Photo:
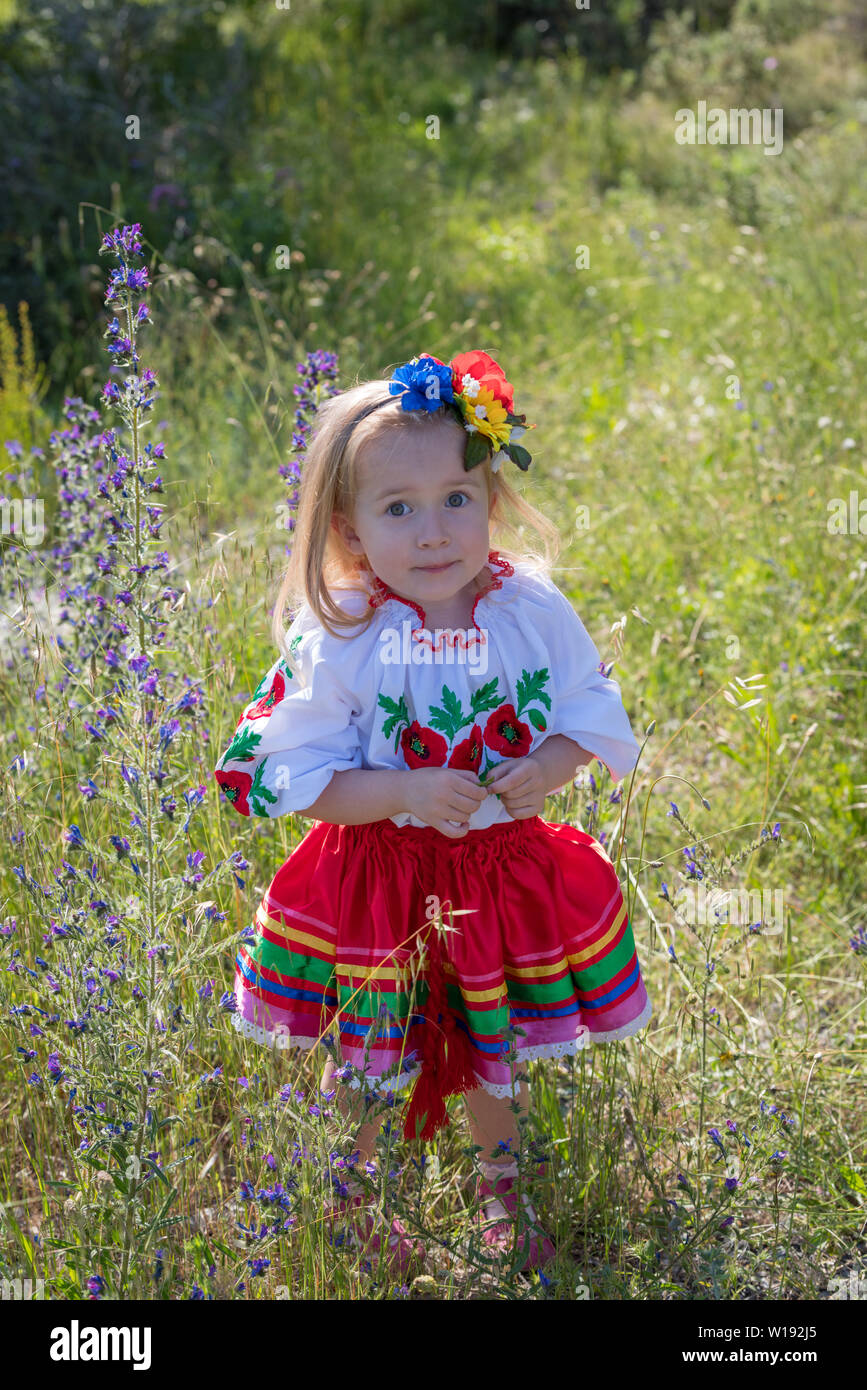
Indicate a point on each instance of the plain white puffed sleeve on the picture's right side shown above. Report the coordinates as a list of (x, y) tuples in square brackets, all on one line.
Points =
[(588, 707)]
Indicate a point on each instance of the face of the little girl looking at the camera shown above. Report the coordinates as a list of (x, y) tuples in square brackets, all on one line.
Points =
[(419, 508)]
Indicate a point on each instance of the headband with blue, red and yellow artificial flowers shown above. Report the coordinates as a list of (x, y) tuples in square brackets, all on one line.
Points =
[(474, 387)]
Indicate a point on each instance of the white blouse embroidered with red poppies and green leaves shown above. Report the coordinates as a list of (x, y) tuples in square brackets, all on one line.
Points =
[(398, 696)]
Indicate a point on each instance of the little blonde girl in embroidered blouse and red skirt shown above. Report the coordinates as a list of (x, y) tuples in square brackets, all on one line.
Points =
[(430, 696)]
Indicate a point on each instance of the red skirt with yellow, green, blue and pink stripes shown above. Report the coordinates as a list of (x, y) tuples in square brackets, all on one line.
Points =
[(433, 957)]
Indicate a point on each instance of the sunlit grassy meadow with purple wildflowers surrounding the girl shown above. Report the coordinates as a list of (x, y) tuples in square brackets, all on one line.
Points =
[(687, 327)]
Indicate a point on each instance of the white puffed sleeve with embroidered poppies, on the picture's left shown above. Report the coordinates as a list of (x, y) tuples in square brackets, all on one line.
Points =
[(298, 729)]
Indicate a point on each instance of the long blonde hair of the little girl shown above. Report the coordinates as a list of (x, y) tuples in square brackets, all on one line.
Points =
[(320, 559)]
